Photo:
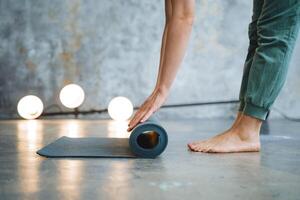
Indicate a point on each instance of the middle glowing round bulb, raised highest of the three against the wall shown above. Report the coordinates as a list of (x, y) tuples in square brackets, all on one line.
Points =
[(71, 96)]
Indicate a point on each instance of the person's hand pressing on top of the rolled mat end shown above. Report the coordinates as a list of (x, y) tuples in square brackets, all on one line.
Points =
[(151, 105)]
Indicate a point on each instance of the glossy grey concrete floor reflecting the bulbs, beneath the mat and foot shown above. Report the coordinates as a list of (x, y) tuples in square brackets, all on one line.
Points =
[(274, 173)]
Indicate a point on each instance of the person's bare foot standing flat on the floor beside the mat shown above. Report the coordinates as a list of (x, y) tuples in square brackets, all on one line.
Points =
[(242, 137)]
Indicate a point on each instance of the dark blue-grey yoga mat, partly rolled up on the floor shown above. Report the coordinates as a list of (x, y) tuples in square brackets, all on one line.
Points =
[(147, 140)]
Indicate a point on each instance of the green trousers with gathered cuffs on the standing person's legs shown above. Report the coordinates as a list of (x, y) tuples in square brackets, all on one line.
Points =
[(272, 33)]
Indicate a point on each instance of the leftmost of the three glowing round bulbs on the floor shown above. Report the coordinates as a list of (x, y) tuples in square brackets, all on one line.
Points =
[(30, 107)]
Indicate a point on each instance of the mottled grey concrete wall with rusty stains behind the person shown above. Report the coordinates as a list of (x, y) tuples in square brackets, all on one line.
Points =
[(112, 48)]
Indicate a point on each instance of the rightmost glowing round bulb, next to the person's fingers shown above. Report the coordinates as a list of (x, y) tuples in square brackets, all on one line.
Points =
[(120, 108)]
